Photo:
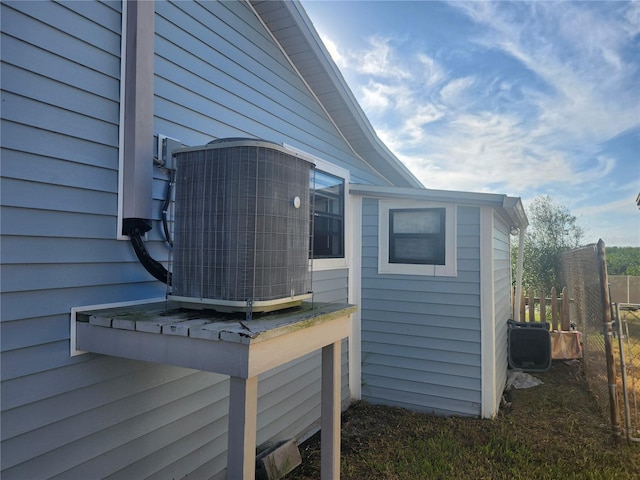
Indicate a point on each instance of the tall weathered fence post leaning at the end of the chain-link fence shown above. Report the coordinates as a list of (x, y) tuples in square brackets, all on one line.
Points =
[(608, 339)]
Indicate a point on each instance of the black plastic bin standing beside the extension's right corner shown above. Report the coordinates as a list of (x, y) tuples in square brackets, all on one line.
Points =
[(529, 346)]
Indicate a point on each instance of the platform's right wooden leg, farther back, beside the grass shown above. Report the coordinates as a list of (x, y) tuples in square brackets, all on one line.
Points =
[(330, 411)]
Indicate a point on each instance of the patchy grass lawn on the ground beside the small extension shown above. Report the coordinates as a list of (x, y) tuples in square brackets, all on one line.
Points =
[(553, 431)]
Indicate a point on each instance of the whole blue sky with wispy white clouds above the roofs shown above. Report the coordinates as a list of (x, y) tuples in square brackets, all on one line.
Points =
[(519, 98)]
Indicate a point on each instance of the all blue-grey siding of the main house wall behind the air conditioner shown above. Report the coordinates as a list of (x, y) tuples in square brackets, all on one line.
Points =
[(218, 74)]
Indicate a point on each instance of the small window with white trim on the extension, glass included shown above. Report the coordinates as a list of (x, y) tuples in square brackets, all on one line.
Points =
[(417, 238)]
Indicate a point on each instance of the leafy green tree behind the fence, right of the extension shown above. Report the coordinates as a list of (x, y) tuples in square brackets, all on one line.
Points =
[(552, 231)]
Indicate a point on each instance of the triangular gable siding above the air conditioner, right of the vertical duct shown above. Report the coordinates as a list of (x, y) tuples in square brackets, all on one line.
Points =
[(219, 74)]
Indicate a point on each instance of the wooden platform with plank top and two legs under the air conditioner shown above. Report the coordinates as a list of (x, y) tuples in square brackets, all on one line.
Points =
[(226, 343)]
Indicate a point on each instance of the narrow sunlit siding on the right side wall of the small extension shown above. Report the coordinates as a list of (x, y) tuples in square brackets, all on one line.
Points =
[(502, 299)]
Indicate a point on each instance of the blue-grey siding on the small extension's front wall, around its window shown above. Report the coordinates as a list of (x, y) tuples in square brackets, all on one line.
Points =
[(421, 335)]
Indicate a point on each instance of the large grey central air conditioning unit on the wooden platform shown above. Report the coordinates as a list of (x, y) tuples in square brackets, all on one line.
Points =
[(242, 227)]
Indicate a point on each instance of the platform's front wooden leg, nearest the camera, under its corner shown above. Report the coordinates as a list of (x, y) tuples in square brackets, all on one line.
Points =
[(243, 410)]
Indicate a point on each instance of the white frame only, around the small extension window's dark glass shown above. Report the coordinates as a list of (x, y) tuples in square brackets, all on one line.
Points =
[(449, 269)]
